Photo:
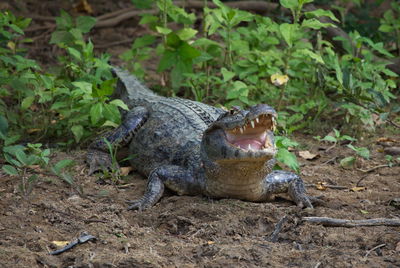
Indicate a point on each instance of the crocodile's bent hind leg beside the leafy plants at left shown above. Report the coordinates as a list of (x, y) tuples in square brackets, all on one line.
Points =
[(98, 156)]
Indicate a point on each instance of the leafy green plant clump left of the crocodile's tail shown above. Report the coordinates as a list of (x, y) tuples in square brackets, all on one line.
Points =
[(66, 104)]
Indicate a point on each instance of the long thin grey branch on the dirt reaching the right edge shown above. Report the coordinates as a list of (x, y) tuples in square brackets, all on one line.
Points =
[(332, 222)]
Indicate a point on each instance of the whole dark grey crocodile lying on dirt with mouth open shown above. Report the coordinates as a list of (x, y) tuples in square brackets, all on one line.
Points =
[(196, 149)]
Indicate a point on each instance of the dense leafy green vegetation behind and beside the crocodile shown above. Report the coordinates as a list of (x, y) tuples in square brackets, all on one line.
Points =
[(234, 58)]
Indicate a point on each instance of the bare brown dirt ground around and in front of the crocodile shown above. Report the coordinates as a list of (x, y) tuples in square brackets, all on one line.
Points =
[(185, 231)]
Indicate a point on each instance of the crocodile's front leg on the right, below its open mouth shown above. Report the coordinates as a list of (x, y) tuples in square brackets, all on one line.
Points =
[(280, 181)]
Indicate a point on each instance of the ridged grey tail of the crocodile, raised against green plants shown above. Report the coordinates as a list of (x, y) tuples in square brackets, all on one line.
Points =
[(129, 87)]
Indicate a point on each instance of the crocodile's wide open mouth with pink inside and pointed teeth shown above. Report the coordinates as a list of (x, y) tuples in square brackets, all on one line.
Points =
[(253, 134)]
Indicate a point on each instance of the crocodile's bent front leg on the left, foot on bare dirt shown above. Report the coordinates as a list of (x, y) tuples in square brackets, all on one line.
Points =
[(175, 178)]
